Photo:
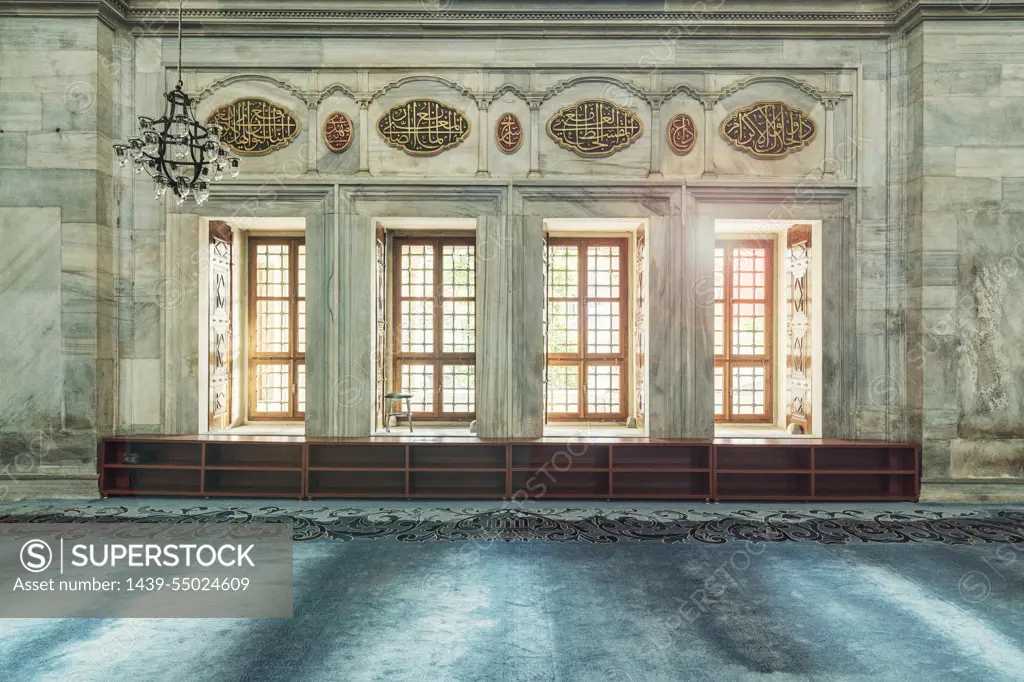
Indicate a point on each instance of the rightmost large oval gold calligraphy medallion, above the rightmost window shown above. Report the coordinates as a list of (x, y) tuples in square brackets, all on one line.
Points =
[(770, 130)]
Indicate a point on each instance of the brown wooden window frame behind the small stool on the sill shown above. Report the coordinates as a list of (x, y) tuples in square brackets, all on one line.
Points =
[(439, 359)]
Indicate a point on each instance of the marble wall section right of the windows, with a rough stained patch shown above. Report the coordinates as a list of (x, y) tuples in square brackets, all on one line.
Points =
[(966, 247)]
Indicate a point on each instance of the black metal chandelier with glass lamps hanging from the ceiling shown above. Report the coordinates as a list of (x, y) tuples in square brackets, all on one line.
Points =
[(177, 151)]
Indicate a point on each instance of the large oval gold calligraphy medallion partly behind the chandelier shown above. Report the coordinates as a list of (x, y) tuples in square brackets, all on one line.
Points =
[(253, 127)]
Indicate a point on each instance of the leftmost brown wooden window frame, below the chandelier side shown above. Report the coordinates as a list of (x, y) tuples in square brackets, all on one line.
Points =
[(293, 358)]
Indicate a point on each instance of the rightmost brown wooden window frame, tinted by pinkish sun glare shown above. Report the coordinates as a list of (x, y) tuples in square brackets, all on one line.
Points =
[(729, 360)]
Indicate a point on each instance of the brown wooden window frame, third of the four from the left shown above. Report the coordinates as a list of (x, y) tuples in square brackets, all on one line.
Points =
[(583, 359)]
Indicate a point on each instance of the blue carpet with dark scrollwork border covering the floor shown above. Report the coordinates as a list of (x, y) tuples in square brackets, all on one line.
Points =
[(936, 601)]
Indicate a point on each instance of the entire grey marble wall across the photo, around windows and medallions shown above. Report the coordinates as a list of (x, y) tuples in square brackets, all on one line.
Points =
[(915, 175)]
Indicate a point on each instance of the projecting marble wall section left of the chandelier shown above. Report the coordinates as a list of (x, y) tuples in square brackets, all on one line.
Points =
[(57, 297)]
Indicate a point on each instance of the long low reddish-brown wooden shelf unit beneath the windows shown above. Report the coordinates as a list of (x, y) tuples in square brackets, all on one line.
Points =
[(548, 468)]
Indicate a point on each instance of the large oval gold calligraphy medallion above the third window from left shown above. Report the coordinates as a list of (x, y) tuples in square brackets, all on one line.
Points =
[(595, 129)]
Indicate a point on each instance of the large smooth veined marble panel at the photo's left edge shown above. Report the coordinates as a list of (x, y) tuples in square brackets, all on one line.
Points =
[(30, 302)]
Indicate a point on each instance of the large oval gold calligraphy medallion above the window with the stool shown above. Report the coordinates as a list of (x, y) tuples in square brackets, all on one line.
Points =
[(423, 127)]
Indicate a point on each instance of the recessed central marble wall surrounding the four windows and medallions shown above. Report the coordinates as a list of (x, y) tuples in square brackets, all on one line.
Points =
[(842, 87)]
